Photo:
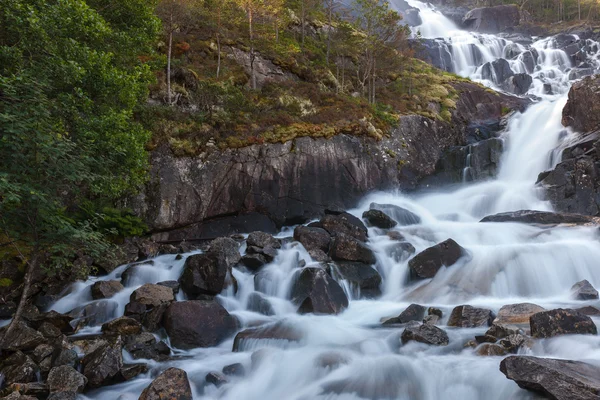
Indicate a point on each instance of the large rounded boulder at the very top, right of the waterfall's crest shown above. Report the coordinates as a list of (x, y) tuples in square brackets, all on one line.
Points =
[(492, 19)]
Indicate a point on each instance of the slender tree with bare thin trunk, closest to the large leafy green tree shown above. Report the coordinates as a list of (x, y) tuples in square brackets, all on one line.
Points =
[(175, 14)]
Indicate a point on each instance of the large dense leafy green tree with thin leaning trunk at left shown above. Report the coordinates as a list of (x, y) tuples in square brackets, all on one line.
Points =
[(70, 80)]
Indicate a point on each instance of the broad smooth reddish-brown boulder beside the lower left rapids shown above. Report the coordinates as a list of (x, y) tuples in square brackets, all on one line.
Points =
[(198, 323)]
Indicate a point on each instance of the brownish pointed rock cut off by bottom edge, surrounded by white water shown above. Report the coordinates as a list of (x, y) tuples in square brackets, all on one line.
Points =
[(171, 384)]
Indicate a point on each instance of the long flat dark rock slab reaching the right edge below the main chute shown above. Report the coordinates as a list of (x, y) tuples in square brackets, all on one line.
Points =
[(541, 218)]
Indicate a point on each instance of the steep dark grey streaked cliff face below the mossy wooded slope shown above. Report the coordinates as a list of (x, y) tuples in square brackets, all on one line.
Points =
[(269, 185)]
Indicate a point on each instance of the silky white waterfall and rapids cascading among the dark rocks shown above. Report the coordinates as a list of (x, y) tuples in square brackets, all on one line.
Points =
[(509, 263)]
